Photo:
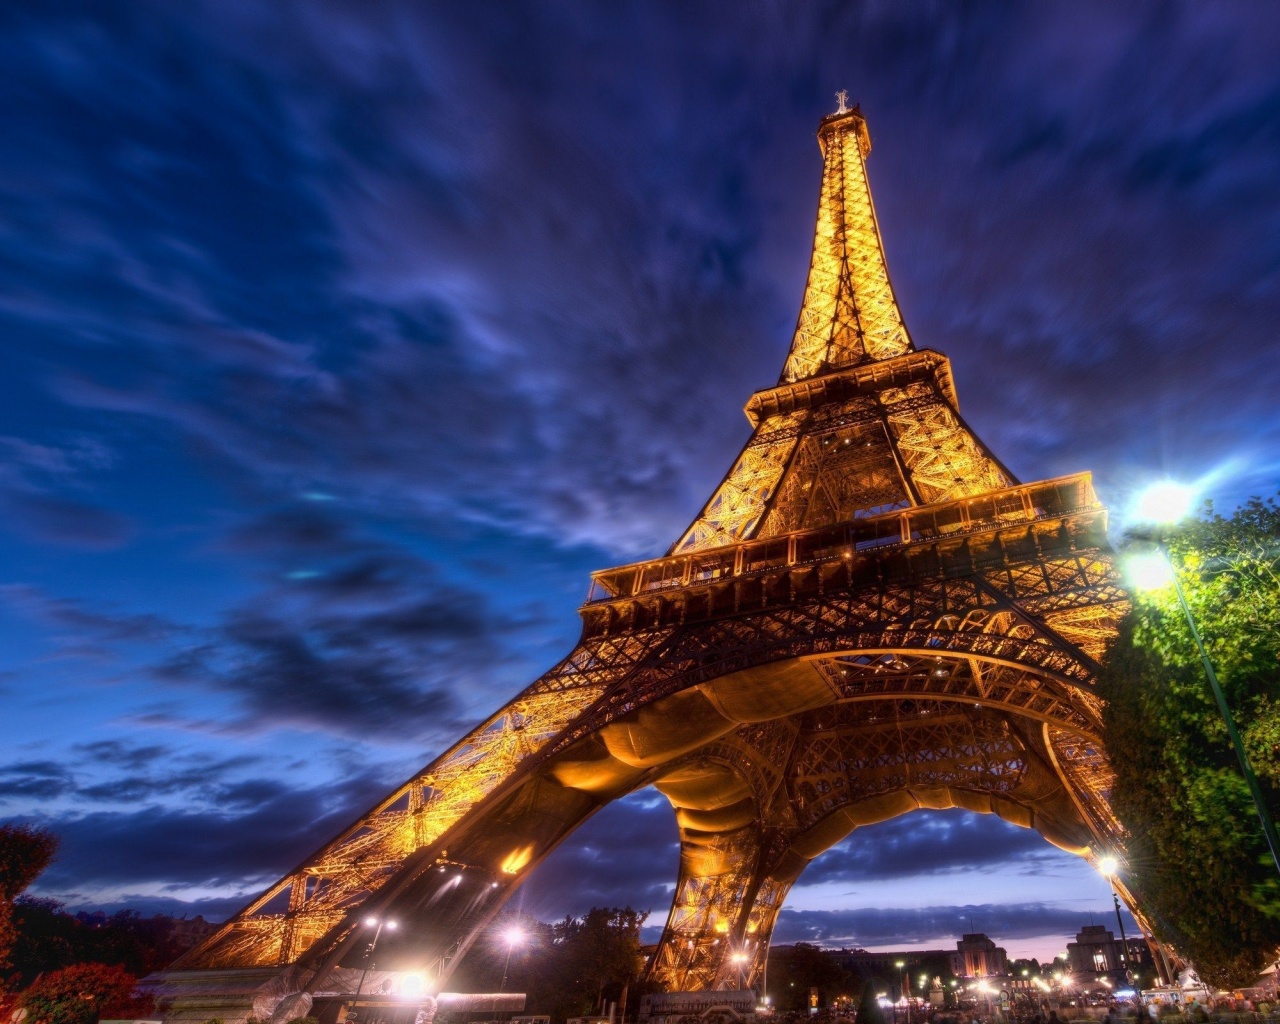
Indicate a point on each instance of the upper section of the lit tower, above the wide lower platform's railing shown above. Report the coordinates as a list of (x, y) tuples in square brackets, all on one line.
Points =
[(862, 422)]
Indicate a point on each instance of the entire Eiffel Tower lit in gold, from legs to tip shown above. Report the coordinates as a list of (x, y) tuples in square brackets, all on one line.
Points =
[(871, 615)]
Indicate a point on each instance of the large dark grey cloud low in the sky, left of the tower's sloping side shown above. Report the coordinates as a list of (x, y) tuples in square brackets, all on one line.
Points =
[(371, 646)]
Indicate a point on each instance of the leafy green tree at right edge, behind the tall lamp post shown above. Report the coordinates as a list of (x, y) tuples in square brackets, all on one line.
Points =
[(1196, 852)]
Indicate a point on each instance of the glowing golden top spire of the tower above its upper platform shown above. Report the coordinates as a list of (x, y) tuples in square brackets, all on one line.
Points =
[(849, 314)]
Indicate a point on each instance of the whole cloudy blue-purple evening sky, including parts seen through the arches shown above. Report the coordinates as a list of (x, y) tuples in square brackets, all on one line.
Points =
[(340, 342)]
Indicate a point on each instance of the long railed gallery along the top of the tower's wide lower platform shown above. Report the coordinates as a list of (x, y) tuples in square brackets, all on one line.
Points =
[(922, 524)]
